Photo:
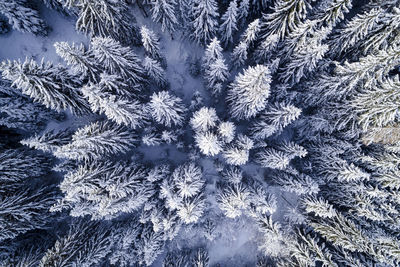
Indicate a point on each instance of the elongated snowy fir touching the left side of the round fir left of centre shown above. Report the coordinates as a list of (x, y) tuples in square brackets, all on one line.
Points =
[(119, 109)]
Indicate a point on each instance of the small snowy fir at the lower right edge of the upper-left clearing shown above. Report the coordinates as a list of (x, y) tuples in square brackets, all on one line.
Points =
[(81, 61)]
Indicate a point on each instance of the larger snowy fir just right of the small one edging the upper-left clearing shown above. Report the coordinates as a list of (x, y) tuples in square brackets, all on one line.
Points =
[(117, 59)]
